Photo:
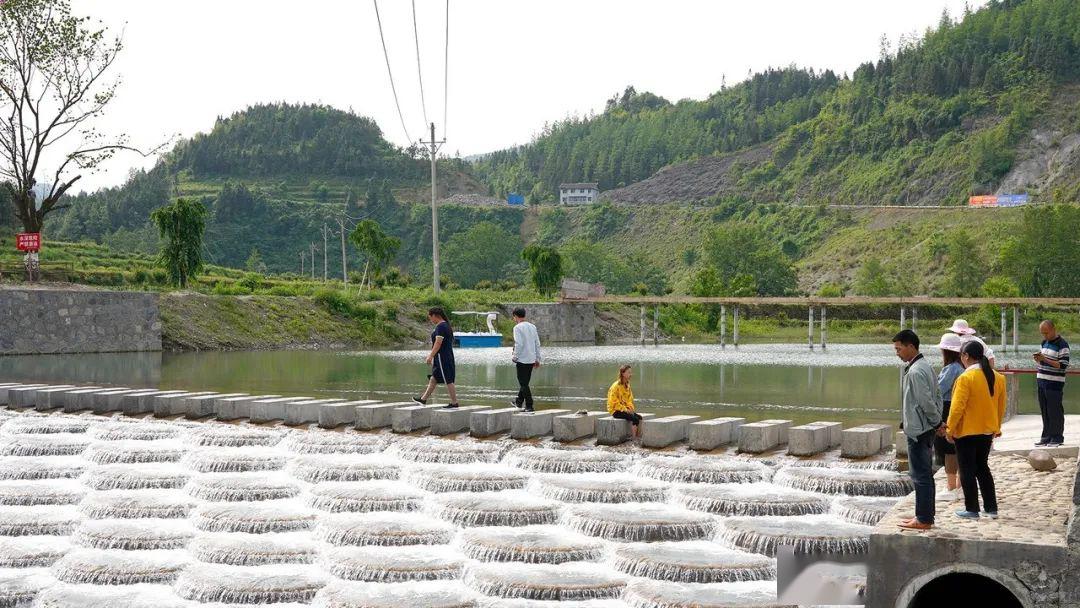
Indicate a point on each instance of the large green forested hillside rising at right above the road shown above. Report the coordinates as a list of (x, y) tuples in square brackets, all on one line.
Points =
[(940, 118)]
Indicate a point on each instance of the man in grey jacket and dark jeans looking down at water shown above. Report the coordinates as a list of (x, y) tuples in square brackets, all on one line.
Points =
[(922, 414)]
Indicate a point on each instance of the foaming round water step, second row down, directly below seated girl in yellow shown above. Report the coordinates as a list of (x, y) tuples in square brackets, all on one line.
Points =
[(602, 488)]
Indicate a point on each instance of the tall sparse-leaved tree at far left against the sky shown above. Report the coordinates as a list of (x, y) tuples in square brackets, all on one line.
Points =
[(53, 88)]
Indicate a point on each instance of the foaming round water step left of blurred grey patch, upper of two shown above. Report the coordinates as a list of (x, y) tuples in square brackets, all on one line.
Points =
[(693, 562)]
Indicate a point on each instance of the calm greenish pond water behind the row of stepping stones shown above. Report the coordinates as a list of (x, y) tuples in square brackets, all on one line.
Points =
[(848, 383)]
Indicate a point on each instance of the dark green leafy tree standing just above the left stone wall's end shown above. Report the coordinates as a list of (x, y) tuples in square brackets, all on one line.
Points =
[(181, 226)]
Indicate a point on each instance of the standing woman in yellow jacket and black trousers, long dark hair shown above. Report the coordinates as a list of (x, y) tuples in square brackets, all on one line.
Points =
[(975, 420)]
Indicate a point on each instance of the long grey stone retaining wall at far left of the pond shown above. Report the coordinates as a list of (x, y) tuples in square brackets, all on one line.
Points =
[(71, 321)]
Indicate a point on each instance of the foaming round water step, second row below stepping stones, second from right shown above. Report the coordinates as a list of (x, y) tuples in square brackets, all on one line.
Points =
[(759, 498)]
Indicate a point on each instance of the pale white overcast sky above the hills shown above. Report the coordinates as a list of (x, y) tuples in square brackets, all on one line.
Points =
[(512, 65)]
